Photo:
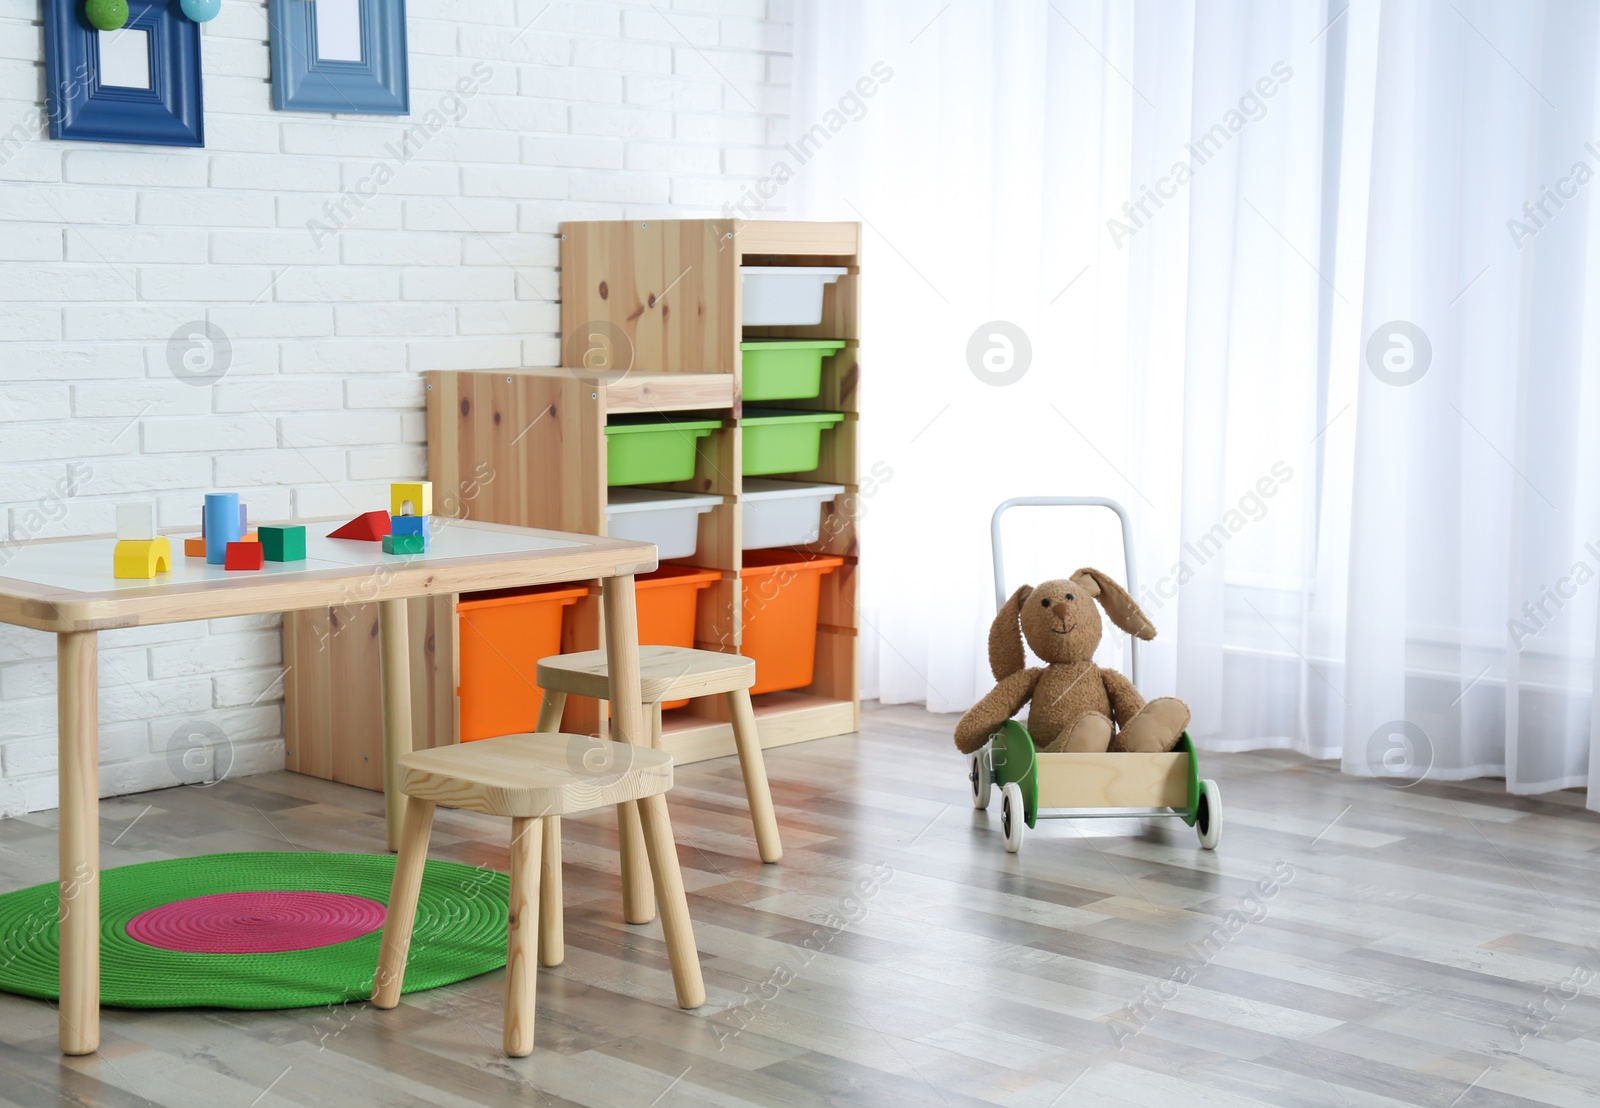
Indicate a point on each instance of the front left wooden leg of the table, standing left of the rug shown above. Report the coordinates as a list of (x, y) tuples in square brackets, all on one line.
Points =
[(78, 673)]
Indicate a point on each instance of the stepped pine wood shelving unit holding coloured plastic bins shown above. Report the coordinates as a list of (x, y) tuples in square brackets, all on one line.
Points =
[(654, 310)]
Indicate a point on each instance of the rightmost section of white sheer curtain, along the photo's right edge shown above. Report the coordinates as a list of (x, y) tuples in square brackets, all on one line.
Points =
[(1473, 561)]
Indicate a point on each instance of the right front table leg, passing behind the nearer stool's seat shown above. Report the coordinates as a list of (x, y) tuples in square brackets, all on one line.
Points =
[(628, 726)]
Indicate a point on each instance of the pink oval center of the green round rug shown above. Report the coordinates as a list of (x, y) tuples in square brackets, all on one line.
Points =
[(257, 923)]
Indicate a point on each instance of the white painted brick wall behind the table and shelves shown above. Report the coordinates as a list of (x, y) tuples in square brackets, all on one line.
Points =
[(583, 110)]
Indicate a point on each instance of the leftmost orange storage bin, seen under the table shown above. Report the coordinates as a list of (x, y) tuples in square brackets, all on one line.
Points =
[(503, 635)]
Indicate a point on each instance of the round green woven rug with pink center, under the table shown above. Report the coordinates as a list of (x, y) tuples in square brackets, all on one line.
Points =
[(247, 902)]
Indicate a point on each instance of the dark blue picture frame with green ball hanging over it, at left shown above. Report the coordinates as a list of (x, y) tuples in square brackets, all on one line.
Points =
[(169, 113)]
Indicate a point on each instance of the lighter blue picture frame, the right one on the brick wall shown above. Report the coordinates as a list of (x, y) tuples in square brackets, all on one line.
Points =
[(303, 82)]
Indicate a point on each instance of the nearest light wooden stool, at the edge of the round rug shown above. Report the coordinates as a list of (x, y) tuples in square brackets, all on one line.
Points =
[(537, 779)]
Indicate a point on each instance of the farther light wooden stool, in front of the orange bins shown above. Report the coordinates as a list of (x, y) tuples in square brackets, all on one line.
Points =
[(666, 673)]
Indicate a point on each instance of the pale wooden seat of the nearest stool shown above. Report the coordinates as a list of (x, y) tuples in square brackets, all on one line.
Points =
[(535, 776)]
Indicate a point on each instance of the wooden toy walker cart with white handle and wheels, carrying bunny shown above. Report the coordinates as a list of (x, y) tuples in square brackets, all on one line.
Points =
[(1113, 785)]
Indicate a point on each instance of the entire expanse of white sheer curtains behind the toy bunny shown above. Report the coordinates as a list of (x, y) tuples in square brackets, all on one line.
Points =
[(1228, 233)]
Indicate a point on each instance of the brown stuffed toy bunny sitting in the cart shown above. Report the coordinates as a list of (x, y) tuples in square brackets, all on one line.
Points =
[(1076, 705)]
